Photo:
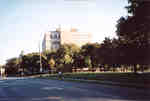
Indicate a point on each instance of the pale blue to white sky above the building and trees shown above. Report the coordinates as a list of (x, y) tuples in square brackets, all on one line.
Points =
[(23, 22)]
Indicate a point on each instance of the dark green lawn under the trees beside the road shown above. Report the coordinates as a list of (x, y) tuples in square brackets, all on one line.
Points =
[(129, 77)]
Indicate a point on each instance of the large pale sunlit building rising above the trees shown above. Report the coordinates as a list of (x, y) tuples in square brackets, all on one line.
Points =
[(53, 39)]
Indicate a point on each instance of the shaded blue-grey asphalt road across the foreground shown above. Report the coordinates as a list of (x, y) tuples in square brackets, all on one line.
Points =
[(32, 89)]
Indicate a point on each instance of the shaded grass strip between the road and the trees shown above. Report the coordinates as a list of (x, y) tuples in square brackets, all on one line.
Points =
[(128, 79)]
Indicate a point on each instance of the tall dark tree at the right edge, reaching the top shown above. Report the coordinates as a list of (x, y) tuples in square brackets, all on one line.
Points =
[(134, 30)]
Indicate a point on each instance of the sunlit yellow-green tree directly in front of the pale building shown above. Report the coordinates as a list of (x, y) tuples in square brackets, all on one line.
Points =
[(65, 57)]
